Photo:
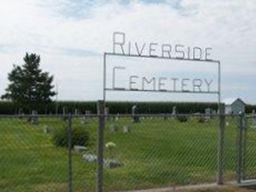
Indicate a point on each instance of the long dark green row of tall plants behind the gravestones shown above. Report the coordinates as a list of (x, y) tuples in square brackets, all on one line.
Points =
[(7, 107)]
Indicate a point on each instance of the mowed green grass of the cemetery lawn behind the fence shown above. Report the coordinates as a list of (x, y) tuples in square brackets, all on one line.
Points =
[(156, 153)]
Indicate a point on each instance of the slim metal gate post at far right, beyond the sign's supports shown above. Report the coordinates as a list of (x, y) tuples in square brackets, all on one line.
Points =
[(240, 148)]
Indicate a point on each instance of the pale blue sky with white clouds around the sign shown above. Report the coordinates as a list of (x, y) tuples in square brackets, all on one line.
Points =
[(72, 35)]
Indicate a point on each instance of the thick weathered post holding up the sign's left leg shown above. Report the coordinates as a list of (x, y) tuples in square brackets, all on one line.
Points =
[(100, 145)]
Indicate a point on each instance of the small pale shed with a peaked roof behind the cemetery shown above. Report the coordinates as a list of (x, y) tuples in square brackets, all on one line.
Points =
[(234, 106)]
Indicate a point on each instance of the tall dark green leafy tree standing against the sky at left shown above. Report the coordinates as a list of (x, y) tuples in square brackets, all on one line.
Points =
[(29, 87)]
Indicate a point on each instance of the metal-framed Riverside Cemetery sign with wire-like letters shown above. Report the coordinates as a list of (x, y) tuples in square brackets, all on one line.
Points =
[(119, 77)]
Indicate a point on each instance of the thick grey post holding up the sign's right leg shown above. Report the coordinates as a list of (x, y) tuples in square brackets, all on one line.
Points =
[(220, 179)]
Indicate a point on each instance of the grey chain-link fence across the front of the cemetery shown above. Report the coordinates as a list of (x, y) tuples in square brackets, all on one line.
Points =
[(59, 153)]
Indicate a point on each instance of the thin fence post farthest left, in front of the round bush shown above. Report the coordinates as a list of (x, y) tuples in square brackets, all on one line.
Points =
[(69, 153)]
